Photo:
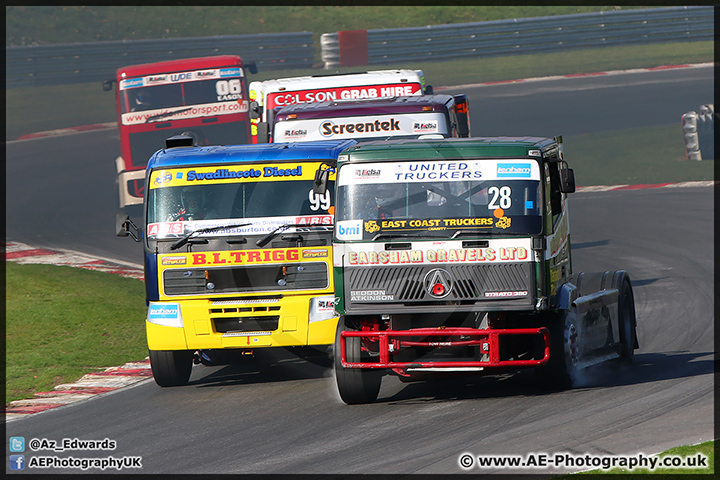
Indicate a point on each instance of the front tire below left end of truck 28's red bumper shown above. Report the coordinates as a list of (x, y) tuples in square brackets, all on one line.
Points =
[(355, 385)]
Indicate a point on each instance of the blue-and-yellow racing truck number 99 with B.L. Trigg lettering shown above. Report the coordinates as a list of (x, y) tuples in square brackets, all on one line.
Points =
[(238, 252)]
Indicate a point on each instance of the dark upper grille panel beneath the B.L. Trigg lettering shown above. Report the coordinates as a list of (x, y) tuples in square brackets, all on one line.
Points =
[(296, 276)]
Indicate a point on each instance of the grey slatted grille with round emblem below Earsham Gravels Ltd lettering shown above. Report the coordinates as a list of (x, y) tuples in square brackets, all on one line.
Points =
[(470, 282)]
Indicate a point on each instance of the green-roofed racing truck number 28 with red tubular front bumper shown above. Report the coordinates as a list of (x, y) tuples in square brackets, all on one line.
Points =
[(452, 256)]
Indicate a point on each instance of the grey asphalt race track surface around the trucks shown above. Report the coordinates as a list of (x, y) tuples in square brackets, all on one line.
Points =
[(273, 413)]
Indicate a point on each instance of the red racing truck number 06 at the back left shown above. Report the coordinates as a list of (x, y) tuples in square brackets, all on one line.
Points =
[(204, 98)]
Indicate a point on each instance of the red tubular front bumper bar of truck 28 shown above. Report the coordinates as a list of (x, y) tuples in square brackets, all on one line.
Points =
[(390, 341)]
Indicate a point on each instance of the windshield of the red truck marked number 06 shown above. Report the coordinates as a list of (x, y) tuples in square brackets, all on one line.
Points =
[(165, 96)]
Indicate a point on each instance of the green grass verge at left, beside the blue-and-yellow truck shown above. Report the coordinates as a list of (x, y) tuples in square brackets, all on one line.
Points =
[(63, 322)]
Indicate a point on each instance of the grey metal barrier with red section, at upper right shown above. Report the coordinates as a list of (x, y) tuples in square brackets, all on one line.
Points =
[(399, 46)]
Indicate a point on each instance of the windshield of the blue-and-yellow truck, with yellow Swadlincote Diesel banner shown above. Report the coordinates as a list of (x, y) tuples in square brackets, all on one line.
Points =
[(266, 196)]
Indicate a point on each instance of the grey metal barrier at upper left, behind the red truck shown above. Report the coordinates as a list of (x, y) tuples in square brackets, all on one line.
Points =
[(89, 62)]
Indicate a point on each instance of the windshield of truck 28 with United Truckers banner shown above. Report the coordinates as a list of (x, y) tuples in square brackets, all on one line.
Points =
[(443, 198)]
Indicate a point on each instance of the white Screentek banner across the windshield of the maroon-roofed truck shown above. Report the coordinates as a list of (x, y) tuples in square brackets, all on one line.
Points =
[(365, 127)]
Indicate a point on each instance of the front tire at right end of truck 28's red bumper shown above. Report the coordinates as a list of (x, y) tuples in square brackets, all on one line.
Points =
[(561, 371)]
